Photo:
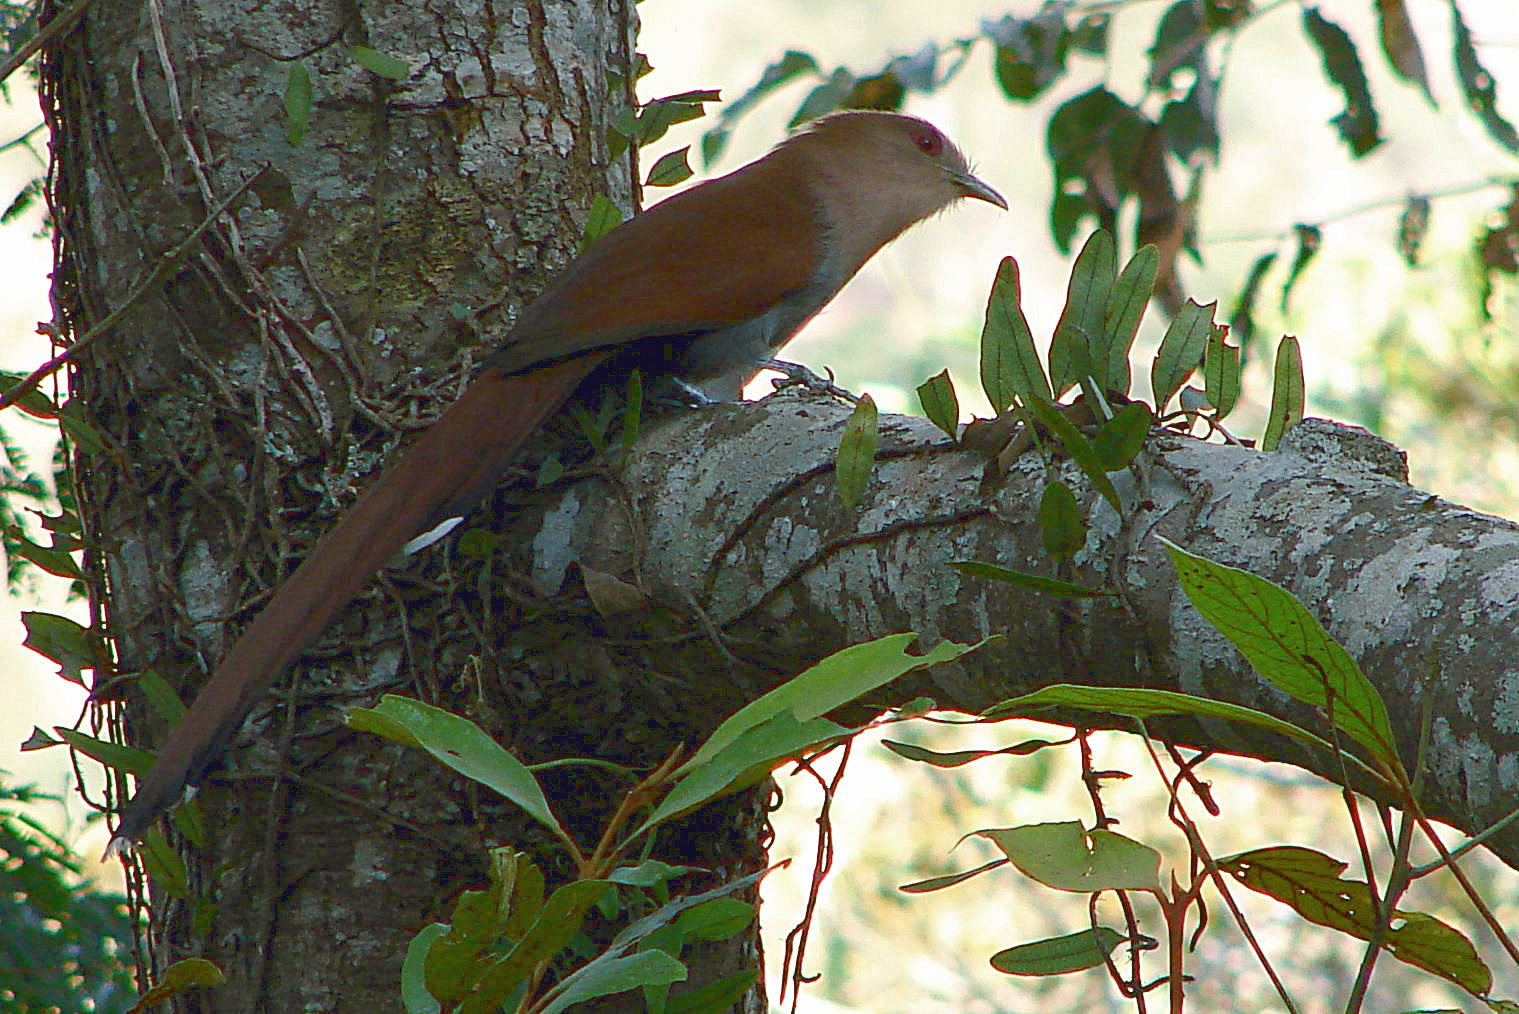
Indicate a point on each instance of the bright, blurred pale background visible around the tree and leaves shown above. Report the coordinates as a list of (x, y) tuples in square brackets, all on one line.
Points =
[(1421, 356)]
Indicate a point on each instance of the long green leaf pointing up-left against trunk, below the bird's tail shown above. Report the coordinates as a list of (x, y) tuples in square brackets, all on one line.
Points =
[(459, 745)]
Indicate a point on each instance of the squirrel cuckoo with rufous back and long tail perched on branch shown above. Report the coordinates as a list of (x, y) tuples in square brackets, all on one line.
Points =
[(712, 282)]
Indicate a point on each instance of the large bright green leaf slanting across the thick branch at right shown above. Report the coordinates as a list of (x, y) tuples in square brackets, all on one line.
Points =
[(1289, 647)]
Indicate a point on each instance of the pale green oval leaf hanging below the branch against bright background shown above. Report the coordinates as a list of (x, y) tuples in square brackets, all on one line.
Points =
[(1069, 858)]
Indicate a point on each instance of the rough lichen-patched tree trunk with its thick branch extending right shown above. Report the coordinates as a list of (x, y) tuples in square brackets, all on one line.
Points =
[(268, 367)]
